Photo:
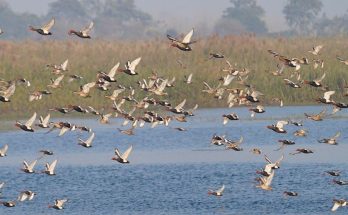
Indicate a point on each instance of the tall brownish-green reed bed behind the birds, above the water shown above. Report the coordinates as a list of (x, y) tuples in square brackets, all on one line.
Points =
[(28, 60)]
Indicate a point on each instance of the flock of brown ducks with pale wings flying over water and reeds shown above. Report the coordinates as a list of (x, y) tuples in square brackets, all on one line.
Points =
[(155, 88)]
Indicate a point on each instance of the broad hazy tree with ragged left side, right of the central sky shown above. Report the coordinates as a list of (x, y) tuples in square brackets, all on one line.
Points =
[(248, 14)]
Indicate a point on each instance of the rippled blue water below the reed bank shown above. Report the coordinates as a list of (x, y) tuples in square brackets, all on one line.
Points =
[(171, 171)]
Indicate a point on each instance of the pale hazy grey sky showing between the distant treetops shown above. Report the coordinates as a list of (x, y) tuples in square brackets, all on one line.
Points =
[(184, 14)]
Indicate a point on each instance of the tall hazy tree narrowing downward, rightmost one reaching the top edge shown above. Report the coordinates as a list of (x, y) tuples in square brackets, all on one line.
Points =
[(301, 15)]
